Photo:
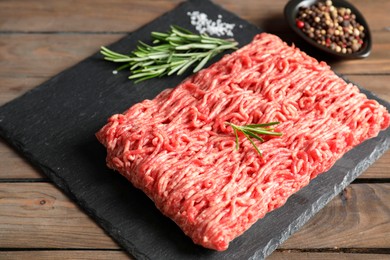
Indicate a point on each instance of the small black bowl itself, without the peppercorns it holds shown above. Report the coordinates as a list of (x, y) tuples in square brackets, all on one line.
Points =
[(291, 10)]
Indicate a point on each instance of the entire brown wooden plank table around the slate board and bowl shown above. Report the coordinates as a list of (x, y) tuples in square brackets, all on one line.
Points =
[(39, 39)]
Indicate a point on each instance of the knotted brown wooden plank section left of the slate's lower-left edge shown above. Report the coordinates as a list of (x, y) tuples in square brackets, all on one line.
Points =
[(38, 215)]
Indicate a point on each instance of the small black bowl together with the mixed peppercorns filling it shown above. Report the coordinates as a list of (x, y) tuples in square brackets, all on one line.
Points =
[(333, 26)]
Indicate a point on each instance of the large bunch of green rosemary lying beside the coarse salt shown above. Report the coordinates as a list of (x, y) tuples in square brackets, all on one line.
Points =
[(171, 52)]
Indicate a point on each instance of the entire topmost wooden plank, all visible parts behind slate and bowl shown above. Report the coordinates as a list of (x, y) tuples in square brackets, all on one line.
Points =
[(125, 16)]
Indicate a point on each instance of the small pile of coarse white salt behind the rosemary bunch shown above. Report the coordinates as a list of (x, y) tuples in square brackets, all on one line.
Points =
[(205, 25)]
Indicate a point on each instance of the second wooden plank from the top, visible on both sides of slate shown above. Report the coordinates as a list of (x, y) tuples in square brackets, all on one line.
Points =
[(28, 56)]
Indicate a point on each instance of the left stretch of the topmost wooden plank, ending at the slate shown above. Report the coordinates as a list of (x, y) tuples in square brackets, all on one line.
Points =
[(88, 15)]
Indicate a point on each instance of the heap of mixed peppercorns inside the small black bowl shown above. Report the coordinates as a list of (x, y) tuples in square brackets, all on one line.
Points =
[(333, 27)]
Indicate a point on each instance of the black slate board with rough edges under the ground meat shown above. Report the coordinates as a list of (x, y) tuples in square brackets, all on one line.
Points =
[(53, 126)]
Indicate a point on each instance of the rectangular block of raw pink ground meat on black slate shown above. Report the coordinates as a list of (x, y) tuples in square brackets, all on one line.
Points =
[(179, 151)]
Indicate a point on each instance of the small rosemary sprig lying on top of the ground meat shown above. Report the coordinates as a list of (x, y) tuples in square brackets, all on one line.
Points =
[(253, 131)]
